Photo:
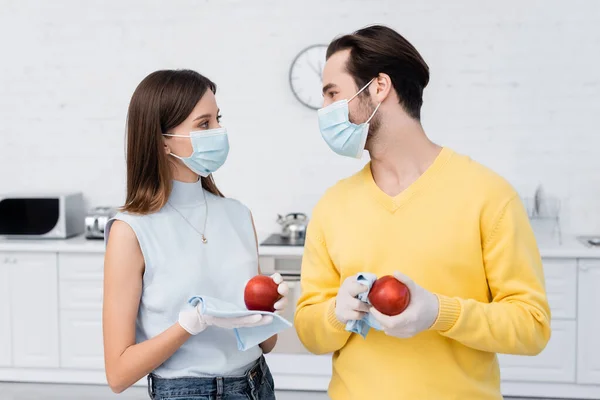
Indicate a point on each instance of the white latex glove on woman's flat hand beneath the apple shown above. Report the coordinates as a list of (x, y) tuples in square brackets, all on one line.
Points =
[(194, 322)]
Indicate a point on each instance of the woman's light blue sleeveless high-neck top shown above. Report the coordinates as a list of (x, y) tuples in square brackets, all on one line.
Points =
[(178, 266)]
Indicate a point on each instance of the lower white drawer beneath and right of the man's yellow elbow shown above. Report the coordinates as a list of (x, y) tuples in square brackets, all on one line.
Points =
[(555, 364)]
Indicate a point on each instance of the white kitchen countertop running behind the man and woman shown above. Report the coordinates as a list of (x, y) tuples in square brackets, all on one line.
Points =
[(570, 249)]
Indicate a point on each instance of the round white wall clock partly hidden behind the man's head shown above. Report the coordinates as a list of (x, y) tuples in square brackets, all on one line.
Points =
[(306, 76)]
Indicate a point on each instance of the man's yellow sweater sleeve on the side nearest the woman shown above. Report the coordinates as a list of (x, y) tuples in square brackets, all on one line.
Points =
[(315, 320)]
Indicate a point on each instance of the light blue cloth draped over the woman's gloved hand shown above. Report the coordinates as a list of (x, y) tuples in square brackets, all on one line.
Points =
[(247, 338)]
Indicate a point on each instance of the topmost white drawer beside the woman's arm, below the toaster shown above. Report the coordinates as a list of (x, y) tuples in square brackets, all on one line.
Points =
[(81, 266)]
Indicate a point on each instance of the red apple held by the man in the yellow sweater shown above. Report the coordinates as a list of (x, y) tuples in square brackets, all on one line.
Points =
[(389, 296)]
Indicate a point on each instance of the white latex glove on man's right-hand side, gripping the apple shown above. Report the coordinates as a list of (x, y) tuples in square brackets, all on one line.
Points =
[(421, 313)]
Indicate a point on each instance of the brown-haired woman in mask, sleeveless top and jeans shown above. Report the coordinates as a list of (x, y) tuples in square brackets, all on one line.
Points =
[(177, 236)]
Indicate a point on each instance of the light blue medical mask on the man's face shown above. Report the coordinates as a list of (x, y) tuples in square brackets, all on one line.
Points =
[(342, 136)]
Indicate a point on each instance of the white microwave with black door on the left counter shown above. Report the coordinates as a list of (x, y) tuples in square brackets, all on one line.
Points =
[(41, 216)]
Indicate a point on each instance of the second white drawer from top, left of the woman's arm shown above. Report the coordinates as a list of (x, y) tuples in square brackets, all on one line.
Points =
[(80, 295)]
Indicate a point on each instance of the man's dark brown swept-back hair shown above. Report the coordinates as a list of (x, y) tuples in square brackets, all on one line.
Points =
[(379, 49)]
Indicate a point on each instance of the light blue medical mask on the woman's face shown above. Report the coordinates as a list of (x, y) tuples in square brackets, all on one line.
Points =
[(210, 150)]
